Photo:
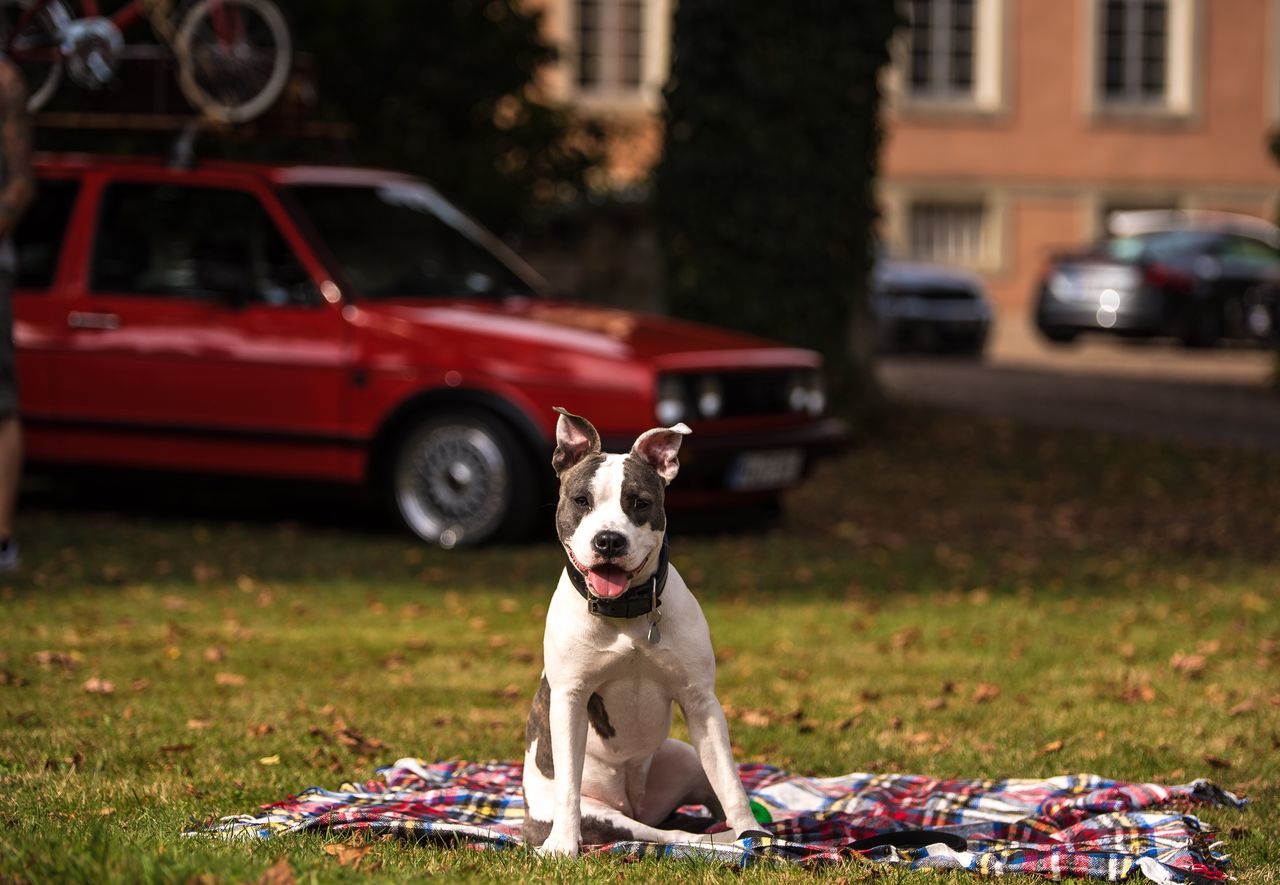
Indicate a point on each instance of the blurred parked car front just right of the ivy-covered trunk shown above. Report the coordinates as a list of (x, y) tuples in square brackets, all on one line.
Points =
[(929, 308)]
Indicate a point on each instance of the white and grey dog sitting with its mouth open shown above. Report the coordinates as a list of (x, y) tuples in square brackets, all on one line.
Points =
[(625, 640)]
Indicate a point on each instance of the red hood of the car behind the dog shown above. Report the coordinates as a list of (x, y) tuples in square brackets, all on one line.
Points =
[(548, 327)]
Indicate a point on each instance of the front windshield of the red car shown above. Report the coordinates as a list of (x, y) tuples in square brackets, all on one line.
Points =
[(405, 240)]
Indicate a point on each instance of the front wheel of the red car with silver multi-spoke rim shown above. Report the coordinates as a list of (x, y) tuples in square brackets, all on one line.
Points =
[(460, 480)]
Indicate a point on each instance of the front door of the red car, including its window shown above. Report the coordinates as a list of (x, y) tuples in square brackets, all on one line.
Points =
[(200, 337)]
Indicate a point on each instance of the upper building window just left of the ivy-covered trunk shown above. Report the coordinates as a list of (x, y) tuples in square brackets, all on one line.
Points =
[(610, 45)]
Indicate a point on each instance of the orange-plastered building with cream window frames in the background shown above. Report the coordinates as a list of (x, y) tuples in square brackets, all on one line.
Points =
[(1014, 126)]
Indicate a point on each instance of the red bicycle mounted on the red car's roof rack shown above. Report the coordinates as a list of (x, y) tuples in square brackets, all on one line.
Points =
[(234, 56)]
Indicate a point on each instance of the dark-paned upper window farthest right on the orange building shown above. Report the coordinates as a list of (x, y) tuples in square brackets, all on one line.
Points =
[(1135, 44)]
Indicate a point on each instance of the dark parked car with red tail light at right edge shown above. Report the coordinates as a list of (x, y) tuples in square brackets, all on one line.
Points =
[(1197, 277)]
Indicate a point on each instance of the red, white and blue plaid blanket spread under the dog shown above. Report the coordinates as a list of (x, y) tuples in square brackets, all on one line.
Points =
[(1073, 825)]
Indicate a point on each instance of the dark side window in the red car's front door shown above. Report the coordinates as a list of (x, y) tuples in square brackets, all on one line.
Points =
[(195, 243)]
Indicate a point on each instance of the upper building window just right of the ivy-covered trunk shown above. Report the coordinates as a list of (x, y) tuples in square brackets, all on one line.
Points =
[(943, 48)]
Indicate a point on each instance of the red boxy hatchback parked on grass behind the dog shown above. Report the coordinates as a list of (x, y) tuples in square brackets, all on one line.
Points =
[(353, 326)]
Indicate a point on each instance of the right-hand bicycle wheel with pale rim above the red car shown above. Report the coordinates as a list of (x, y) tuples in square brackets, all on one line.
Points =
[(234, 58)]
